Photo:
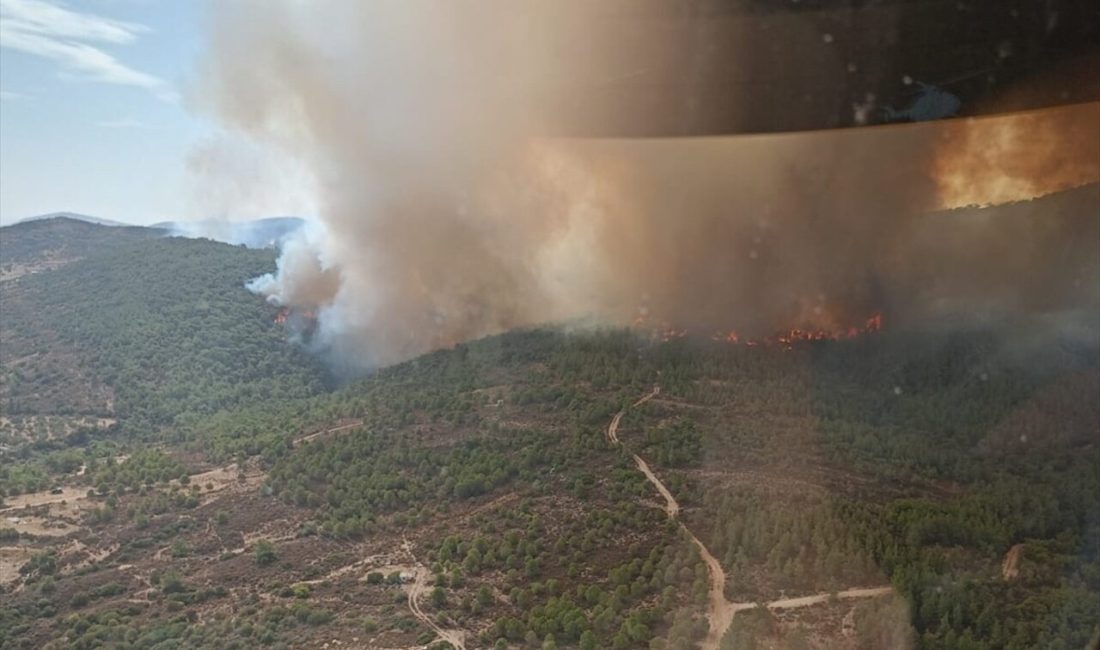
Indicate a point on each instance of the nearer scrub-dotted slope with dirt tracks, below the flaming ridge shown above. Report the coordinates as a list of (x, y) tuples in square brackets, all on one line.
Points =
[(488, 477)]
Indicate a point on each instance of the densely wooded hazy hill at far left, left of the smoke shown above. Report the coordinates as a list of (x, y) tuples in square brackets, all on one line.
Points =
[(140, 337)]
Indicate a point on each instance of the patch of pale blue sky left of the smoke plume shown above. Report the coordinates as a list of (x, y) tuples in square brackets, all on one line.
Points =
[(94, 116)]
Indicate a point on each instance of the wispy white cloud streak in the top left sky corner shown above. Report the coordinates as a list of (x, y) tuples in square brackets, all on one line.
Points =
[(62, 36)]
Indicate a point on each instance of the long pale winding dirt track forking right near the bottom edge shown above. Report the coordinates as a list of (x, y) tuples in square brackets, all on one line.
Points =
[(721, 611)]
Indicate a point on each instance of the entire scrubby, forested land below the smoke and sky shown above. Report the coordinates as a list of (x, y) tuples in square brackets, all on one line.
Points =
[(603, 489)]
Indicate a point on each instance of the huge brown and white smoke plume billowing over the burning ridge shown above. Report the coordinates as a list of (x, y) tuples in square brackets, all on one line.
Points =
[(449, 214)]
